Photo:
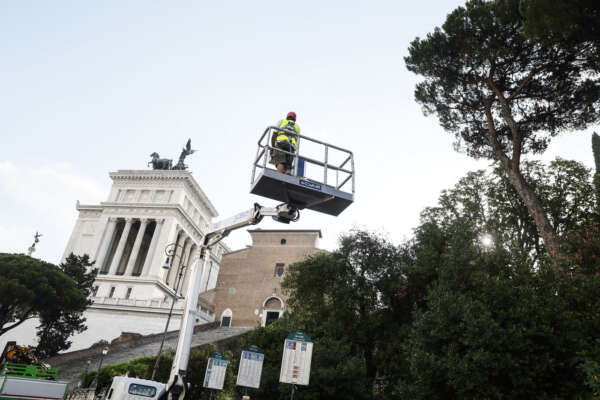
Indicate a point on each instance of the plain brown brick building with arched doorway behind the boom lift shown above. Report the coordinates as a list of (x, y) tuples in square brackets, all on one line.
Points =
[(248, 290)]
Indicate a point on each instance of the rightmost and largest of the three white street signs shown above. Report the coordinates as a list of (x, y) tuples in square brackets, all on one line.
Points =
[(297, 354)]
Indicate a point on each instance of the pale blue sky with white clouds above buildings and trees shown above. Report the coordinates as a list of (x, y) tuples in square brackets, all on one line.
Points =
[(92, 87)]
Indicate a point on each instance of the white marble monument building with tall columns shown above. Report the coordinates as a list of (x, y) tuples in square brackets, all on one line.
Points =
[(127, 235)]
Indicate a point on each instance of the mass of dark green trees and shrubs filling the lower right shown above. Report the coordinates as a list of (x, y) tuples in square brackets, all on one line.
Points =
[(443, 315)]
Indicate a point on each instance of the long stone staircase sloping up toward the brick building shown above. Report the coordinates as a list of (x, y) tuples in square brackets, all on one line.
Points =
[(72, 364)]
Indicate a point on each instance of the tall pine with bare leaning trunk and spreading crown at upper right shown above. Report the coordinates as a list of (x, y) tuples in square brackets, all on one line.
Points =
[(502, 94)]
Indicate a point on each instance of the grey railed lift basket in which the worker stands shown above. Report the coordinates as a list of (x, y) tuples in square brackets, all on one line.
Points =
[(322, 177)]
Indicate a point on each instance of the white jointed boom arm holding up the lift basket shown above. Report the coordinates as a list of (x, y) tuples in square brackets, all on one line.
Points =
[(177, 385)]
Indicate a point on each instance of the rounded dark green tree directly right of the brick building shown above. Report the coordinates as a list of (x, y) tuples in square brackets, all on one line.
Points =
[(349, 292)]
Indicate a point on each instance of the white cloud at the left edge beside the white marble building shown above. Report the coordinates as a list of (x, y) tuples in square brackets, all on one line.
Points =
[(40, 198)]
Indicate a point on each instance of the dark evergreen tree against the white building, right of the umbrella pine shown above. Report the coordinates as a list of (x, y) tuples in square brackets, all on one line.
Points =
[(57, 325)]
